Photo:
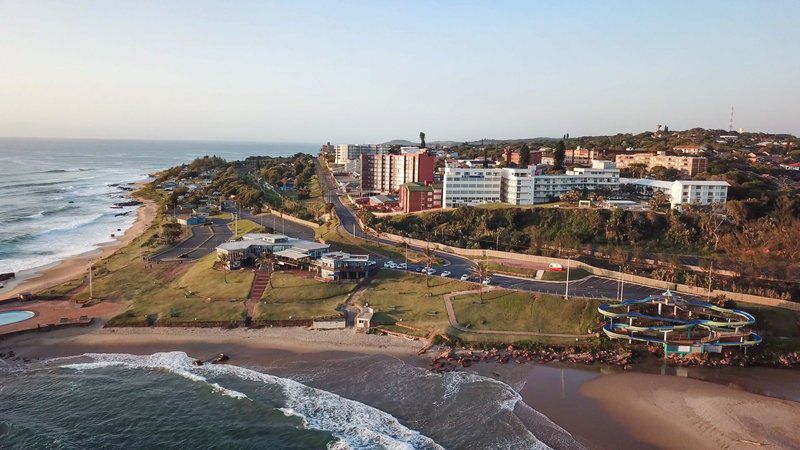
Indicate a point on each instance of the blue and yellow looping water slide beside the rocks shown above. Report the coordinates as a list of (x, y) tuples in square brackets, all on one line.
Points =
[(681, 326)]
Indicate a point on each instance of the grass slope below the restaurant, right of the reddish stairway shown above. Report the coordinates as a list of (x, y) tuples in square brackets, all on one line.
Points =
[(295, 297)]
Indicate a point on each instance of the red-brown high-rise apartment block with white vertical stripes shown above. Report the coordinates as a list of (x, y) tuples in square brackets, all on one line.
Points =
[(386, 173)]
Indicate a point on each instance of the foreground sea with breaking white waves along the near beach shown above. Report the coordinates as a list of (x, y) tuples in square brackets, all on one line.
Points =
[(163, 401)]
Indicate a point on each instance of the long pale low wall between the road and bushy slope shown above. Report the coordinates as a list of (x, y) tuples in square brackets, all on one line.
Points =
[(628, 278)]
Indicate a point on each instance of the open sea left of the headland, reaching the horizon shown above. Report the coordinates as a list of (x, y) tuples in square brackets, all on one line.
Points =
[(56, 194)]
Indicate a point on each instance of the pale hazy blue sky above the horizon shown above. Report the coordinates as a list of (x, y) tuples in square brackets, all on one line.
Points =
[(372, 71)]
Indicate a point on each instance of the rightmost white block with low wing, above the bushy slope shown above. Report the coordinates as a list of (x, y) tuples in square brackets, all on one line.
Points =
[(684, 192)]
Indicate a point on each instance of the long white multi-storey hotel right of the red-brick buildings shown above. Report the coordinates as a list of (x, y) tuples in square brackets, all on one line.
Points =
[(464, 186)]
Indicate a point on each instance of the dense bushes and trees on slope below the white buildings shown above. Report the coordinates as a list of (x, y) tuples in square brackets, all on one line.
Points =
[(759, 240)]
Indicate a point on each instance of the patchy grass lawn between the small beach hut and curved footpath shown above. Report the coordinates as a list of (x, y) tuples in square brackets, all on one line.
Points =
[(402, 297)]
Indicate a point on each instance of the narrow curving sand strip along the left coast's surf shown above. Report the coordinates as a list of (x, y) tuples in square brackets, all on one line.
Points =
[(39, 279)]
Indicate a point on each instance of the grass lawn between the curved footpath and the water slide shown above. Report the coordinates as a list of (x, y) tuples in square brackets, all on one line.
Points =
[(520, 311)]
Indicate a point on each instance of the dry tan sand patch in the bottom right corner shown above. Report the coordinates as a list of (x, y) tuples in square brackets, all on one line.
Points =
[(674, 412)]
